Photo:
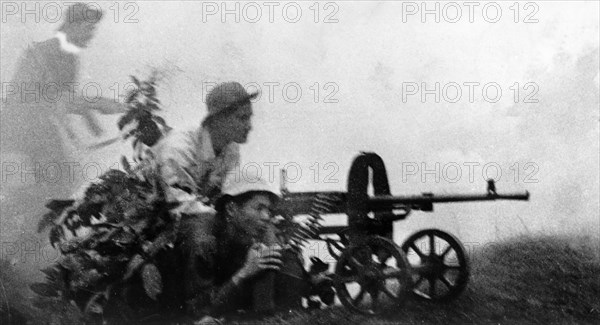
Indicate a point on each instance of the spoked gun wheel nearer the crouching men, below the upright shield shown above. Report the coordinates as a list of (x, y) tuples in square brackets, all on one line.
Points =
[(376, 268)]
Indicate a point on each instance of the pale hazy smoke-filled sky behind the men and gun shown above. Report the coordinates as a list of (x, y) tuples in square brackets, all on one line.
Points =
[(367, 57)]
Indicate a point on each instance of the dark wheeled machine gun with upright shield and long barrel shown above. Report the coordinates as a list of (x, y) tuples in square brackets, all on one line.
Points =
[(368, 261)]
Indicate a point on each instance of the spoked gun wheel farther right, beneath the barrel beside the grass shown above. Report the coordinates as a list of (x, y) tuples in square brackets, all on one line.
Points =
[(440, 265)]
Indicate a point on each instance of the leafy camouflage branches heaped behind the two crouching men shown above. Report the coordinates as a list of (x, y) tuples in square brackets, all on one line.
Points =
[(115, 231)]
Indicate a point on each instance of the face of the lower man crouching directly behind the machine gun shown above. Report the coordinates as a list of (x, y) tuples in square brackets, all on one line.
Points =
[(255, 215)]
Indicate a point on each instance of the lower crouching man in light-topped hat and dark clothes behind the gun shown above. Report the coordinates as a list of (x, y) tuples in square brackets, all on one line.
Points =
[(230, 250)]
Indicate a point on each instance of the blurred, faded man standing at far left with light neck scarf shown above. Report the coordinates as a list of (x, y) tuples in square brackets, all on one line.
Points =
[(35, 119)]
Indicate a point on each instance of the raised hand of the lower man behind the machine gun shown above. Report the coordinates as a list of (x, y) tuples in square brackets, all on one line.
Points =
[(259, 258)]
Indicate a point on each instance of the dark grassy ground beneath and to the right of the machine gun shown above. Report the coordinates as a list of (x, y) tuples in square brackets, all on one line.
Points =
[(524, 280)]
